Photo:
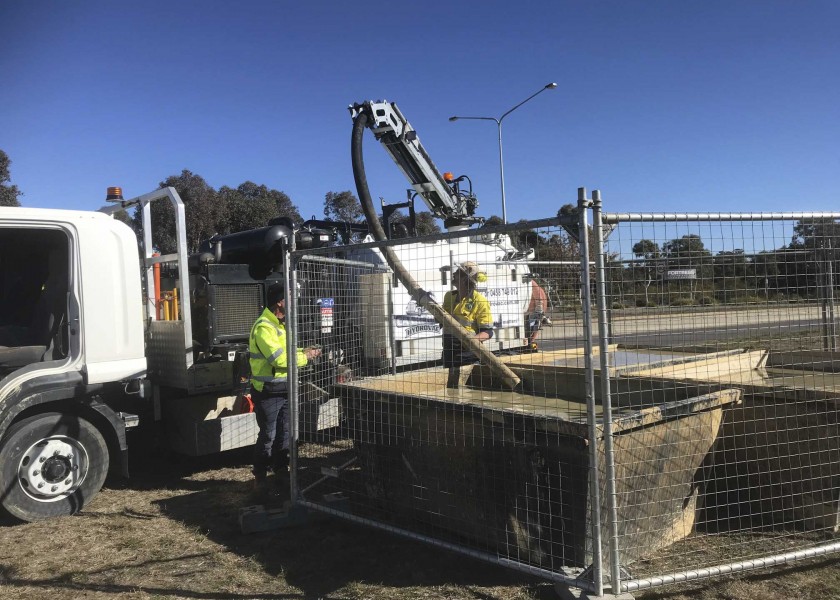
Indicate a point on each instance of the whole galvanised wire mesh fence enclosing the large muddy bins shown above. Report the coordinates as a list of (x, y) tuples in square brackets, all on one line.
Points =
[(675, 416)]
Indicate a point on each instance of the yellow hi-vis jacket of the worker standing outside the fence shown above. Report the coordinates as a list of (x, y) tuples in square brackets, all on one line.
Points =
[(267, 347)]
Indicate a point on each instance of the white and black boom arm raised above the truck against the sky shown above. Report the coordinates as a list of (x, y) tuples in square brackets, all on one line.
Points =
[(400, 140)]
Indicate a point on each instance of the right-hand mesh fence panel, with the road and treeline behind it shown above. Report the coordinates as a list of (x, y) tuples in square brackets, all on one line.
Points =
[(729, 321)]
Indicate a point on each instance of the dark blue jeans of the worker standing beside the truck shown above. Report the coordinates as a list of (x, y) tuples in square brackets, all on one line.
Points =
[(271, 450)]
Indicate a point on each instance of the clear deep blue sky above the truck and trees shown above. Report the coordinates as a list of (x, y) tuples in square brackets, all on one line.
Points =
[(662, 105)]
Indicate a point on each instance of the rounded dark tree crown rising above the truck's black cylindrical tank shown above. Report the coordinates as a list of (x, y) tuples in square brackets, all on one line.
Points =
[(250, 206)]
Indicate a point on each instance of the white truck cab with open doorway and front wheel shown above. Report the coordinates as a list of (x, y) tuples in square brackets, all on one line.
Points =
[(70, 326)]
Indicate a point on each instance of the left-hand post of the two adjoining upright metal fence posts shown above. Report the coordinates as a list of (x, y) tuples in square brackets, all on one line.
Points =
[(591, 416)]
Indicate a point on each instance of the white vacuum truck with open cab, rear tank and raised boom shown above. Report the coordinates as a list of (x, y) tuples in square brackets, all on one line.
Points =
[(86, 349)]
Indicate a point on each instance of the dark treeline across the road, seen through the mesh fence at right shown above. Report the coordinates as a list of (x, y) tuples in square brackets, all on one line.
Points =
[(683, 271)]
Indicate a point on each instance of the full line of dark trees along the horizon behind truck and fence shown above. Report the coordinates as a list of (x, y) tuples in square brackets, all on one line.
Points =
[(678, 271)]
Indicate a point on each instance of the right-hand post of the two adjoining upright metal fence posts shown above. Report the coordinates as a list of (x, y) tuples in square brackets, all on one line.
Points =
[(606, 401)]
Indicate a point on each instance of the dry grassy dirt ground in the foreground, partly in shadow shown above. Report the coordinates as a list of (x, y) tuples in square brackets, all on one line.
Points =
[(172, 531)]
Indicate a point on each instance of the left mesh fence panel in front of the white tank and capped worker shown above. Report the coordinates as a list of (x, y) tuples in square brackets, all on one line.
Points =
[(392, 438)]
